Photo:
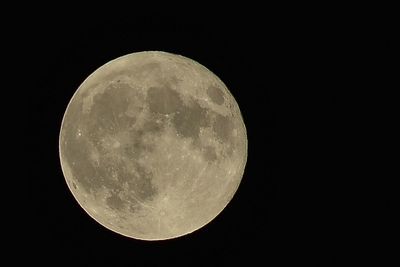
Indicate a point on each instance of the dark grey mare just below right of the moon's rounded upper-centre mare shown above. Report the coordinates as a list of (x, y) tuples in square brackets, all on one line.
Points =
[(189, 119)]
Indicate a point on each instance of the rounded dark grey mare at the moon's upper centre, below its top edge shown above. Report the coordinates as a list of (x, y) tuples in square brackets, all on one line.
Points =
[(163, 100)]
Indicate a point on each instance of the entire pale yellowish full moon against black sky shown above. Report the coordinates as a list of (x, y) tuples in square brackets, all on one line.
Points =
[(153, 145)]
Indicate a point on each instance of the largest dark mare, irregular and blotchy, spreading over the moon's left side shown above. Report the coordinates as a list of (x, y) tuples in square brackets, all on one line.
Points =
[(105, 120)]
